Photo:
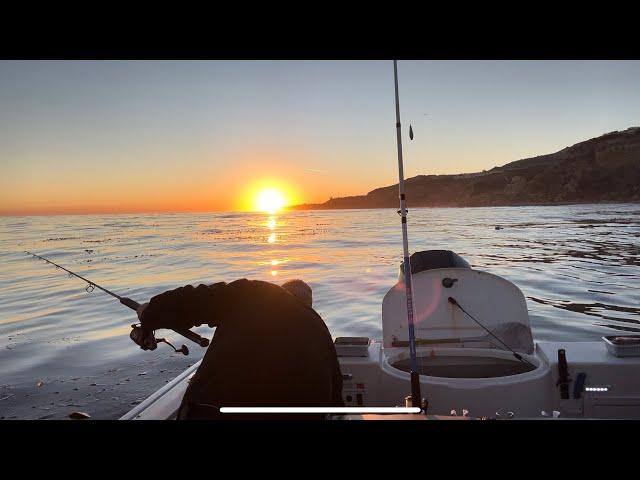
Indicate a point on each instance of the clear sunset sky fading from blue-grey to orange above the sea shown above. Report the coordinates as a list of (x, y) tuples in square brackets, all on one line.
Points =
[(83, 137)]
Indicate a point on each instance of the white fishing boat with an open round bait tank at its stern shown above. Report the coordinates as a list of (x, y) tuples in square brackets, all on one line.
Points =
[(475, 353)]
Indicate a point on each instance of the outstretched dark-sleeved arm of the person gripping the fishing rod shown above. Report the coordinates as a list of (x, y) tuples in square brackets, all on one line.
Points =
[(184, 307)]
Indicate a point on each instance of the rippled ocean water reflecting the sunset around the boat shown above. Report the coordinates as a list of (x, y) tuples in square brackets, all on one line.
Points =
[(63, 349)]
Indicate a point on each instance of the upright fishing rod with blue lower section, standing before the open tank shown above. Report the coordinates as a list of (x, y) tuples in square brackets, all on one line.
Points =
[(416, 396)]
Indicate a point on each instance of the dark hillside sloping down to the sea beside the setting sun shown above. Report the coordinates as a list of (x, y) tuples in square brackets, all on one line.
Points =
[(602, 169)]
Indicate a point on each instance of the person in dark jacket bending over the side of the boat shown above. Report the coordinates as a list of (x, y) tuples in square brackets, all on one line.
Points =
[(270, 348)]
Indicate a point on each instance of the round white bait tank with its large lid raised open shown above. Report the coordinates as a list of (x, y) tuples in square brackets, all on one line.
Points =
[(475, 353)]
